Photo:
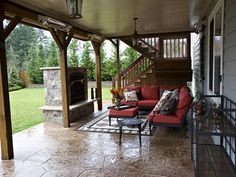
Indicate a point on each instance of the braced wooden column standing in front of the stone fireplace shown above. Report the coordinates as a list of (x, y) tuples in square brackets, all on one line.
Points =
[(62, 40)]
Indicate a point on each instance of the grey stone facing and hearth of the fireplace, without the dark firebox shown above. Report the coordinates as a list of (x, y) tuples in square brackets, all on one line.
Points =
[(52, 110)]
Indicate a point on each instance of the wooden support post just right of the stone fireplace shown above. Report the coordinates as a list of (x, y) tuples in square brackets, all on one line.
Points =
[(96, 46)]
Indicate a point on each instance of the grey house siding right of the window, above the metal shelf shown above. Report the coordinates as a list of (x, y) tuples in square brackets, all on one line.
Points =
[(229, 62)]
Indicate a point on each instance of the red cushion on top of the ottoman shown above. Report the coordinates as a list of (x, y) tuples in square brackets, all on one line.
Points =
[(131, 112)]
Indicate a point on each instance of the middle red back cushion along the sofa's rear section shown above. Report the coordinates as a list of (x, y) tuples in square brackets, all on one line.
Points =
[(150, 92)]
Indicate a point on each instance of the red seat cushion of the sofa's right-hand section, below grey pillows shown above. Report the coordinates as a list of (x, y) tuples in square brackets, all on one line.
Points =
[(165, 119)]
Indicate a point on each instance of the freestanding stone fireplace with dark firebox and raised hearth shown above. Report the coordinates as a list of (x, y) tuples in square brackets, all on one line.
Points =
[(80, 105)]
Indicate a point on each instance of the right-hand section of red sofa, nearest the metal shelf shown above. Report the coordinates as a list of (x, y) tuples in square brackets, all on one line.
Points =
[(176, 119)]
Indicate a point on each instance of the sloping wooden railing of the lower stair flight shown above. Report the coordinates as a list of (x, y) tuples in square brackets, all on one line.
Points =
[(133, 71)]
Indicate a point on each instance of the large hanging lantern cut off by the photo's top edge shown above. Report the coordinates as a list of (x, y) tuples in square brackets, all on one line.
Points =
[(74, 8)]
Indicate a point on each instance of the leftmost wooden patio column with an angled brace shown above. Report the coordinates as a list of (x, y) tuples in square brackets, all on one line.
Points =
[(5, 115)]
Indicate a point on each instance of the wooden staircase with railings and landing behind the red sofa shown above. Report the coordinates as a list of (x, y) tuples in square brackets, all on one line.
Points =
[(165, 60)]
